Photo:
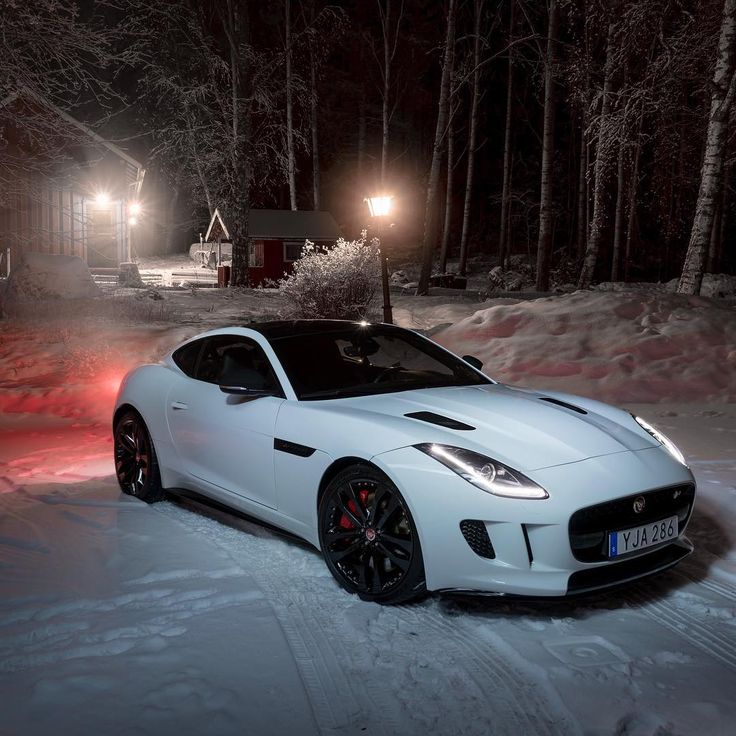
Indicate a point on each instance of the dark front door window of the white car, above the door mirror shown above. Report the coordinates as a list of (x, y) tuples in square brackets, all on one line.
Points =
[(231, 360)]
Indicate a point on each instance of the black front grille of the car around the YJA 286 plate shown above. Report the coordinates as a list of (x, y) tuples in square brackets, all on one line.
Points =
[(589, 527)]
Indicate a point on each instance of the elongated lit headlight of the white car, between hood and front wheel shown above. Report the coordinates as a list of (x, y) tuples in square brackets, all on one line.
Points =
[(489, 475)]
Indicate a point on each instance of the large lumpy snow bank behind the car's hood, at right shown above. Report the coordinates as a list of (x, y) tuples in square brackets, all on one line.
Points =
[(618, 347)]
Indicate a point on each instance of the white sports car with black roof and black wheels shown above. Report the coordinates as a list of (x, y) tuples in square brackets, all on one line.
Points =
[(410, 469)]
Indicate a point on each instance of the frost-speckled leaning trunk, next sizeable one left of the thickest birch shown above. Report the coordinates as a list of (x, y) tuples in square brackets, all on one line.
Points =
[(602, 164)]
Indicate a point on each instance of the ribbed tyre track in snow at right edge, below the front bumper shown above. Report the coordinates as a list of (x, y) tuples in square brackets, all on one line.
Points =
[(715, 644)]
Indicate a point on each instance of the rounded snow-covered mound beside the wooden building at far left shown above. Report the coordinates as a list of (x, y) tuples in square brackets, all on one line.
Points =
[(45, 276)]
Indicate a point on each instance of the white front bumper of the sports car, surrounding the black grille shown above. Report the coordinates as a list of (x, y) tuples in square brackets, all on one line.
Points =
[(530, 539)]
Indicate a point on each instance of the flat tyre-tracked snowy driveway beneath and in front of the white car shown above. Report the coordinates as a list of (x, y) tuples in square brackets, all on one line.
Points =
[(119, 618)]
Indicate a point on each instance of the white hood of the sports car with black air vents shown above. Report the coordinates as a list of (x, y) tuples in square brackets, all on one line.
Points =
[(519, 427)]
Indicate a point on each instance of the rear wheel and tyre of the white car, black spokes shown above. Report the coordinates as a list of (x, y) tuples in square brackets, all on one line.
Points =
[(136, 464)]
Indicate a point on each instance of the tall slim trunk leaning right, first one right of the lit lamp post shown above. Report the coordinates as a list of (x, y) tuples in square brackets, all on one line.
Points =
[(430, 237)]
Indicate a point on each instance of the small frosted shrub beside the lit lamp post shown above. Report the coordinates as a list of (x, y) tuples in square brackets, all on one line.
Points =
[(334, 283)]
